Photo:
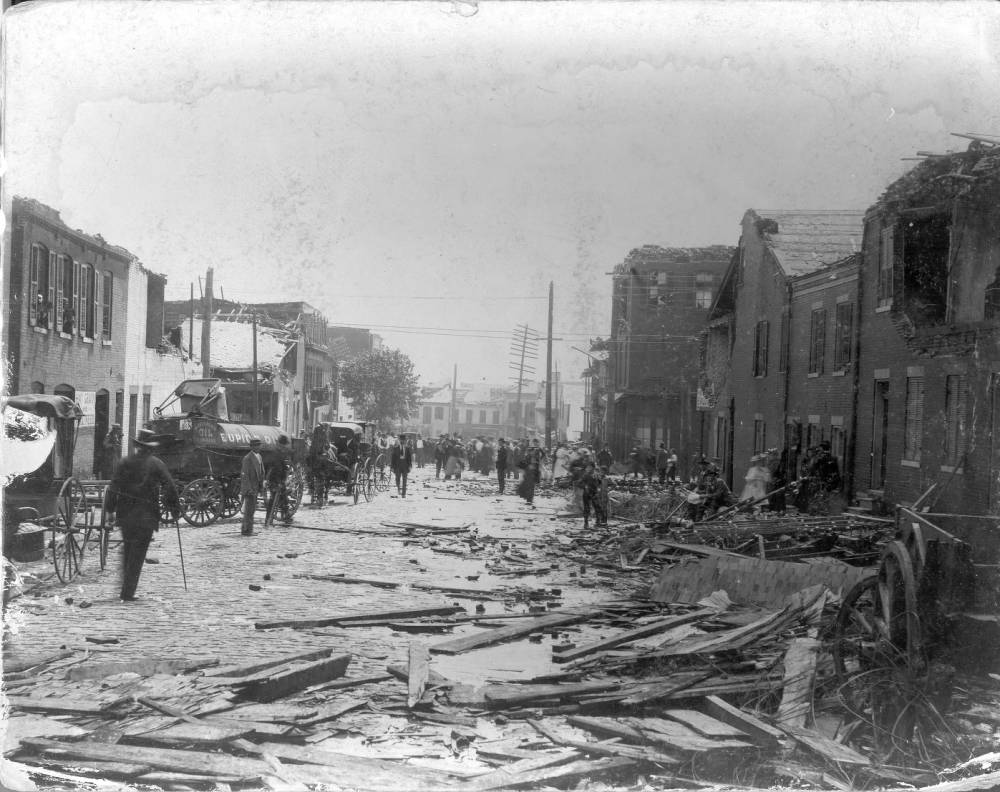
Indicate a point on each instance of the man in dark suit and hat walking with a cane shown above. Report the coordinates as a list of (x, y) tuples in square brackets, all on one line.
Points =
[(133, 499)]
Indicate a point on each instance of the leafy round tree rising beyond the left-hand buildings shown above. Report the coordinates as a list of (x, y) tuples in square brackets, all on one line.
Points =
[(381, 385)]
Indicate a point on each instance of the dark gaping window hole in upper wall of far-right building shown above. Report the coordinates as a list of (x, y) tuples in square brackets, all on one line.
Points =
[(925, 268)]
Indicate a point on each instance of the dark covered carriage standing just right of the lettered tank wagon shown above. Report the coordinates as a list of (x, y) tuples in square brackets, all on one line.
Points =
[(359, 472)]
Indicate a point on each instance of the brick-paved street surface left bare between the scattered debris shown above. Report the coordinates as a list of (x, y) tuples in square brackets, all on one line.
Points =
[(214, 618)]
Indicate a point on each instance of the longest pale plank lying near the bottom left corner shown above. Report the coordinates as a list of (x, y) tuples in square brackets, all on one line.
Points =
[(198, 762)]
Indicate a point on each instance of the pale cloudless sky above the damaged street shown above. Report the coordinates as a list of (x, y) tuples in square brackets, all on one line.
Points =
[(427, 169)]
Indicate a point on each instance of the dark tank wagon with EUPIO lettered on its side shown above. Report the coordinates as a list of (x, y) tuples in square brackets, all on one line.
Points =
[(203, 451)]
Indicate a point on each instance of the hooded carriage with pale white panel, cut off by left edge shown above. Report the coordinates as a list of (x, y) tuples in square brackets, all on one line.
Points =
[(40, 433)]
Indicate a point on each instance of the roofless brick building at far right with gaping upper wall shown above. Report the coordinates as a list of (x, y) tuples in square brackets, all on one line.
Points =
[(929, 384)]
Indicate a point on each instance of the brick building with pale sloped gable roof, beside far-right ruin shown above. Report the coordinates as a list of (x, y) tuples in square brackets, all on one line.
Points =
[(774, 323)]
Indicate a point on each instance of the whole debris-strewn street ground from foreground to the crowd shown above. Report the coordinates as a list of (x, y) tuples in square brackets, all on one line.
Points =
[(463, 640)]
